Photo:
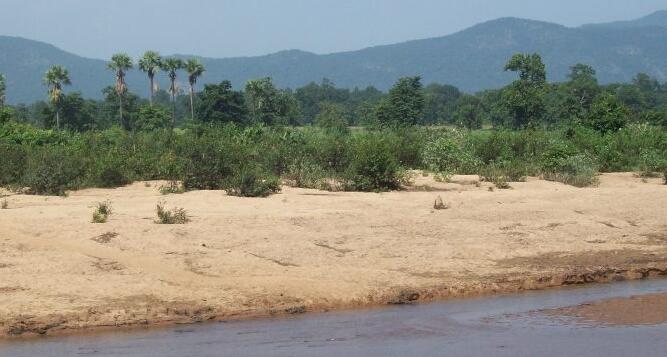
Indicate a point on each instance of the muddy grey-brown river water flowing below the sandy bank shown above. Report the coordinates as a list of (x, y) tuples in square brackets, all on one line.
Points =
[(511, 325)]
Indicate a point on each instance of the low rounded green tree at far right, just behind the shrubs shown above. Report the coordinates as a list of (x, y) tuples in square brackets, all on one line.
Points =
[(607, 114)]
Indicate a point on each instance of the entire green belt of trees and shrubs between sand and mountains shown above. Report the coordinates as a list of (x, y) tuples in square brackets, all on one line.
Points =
[(249, 142)]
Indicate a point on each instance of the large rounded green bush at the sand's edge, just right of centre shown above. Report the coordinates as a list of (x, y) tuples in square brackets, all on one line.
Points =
[(372, 167)]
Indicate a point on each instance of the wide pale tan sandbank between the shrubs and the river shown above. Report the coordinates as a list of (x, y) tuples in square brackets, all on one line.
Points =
[(307, 250)]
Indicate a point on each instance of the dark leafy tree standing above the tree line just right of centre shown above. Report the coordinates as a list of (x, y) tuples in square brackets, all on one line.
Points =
[(405, 104)]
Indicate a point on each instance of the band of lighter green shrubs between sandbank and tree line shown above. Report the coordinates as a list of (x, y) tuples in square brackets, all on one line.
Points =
[(249, 161)]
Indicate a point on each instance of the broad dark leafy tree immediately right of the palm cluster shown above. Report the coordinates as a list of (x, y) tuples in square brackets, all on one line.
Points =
[(221, 104)]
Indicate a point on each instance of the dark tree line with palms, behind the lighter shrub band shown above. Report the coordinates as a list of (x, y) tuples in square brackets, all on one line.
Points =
[(529, 101)]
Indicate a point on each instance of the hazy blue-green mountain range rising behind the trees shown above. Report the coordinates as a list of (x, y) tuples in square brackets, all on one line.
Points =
[(472, 59)]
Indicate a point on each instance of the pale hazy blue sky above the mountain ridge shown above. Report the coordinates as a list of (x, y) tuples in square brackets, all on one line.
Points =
[(224, 28)]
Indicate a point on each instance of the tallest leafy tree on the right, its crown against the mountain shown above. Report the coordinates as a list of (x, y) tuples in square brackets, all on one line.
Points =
[(524, 98)]
